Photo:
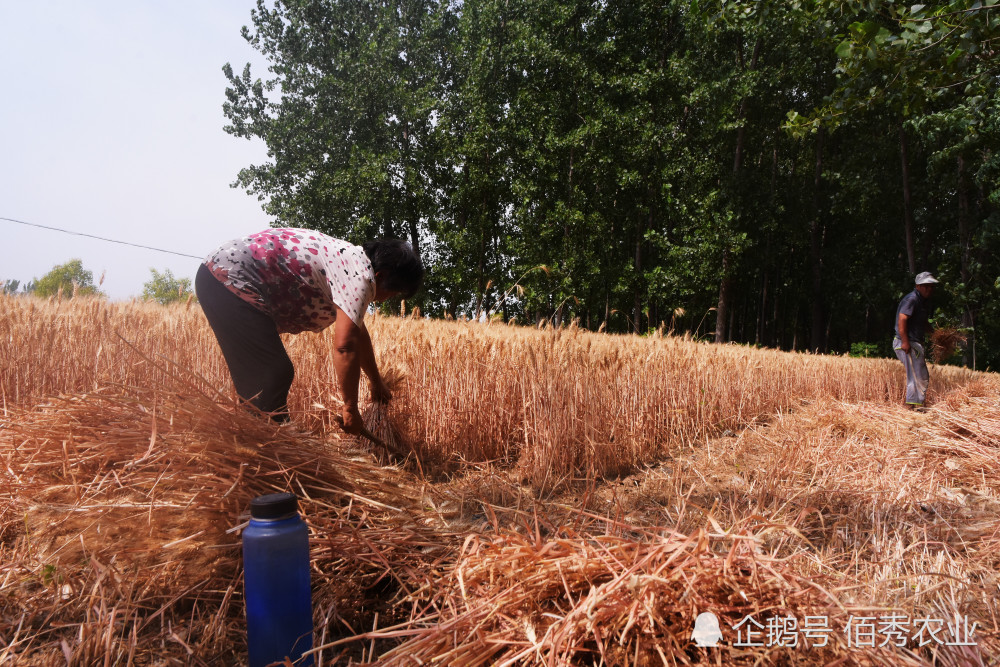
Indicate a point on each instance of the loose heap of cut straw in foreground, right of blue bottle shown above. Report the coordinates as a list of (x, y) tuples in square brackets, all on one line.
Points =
[(609, 599)]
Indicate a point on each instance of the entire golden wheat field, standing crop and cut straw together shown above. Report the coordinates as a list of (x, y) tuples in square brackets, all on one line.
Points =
[(572, 498)]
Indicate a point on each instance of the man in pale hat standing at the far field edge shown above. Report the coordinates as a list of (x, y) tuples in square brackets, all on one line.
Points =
[(911, 326)]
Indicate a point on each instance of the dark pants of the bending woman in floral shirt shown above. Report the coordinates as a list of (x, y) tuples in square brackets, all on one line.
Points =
[(261, 369)]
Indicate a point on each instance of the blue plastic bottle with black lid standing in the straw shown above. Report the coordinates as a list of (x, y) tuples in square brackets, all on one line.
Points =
[(276, 581)]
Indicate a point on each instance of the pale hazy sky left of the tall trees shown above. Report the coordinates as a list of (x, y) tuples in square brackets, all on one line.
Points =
[(111, 124)]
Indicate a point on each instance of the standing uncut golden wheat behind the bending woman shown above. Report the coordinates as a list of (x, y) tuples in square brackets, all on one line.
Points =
[(557, 404)]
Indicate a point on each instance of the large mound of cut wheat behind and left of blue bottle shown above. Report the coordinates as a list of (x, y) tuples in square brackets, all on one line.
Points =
[(121, 512)]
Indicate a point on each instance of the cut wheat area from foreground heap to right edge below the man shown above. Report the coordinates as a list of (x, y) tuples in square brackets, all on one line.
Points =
[(819, 526)]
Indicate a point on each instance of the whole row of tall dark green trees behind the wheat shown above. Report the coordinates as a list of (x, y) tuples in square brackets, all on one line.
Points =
[(763, 172)]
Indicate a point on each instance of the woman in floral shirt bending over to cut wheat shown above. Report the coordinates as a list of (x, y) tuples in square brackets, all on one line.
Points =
[(290, 280)]
